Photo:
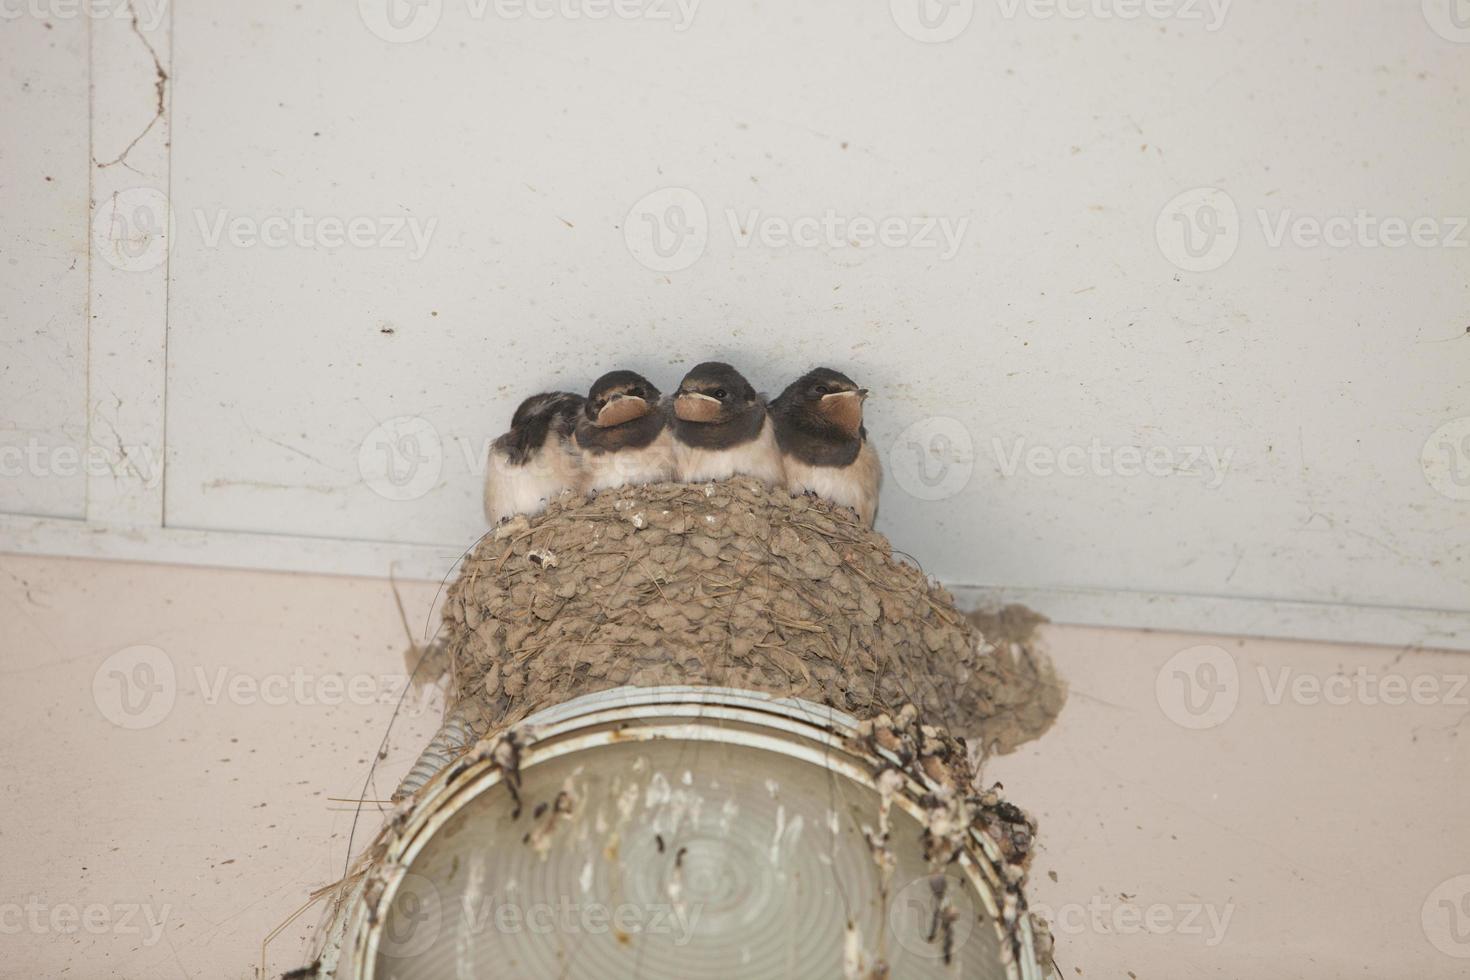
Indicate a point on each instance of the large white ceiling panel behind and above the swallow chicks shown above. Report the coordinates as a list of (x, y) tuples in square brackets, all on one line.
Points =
[(1056, 145)]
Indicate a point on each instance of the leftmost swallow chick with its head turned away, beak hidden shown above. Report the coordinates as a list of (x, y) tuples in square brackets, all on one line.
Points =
[(537, 461)]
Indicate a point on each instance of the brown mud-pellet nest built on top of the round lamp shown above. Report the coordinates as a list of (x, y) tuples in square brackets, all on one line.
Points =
[(733, 586)]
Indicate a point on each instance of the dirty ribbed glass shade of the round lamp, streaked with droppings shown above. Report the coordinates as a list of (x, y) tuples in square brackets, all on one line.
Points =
[(668, 859)]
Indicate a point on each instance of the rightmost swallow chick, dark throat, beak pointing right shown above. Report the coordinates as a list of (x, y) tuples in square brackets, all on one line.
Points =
[(824, 444)]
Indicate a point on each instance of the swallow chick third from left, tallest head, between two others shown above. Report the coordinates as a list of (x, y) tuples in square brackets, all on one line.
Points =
[(721, 428)]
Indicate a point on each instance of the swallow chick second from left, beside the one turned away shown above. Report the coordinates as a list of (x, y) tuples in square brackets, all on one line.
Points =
[(624, 434)]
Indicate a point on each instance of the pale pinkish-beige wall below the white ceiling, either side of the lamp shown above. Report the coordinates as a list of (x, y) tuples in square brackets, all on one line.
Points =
[(1294, 840)]
